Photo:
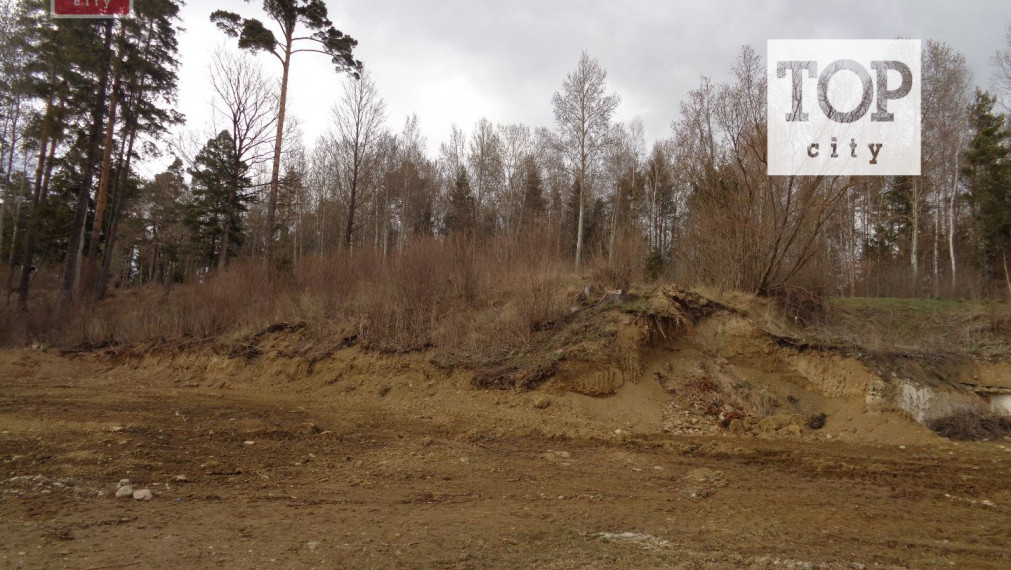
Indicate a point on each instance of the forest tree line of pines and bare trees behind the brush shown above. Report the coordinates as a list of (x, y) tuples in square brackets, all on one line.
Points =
[(82, 103)]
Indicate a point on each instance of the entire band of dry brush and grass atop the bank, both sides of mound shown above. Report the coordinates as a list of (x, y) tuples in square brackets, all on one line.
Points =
[(504, 308)]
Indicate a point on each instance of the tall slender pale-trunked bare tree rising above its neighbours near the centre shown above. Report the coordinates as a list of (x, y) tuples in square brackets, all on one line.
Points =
[(583, 115)]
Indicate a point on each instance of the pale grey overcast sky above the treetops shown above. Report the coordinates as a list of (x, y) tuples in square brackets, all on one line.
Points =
[(456, 61)]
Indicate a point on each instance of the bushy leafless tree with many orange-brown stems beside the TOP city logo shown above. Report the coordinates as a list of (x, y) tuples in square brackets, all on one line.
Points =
[(749, 230)]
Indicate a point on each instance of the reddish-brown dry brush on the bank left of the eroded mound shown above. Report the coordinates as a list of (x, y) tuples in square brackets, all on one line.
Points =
[(481, 307)]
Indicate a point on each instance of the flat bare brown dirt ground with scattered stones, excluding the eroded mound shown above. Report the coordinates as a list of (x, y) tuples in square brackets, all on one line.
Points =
[(399, 468)]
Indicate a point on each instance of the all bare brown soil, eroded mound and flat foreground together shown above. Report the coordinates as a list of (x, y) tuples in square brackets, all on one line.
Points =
[(672, 433)]
